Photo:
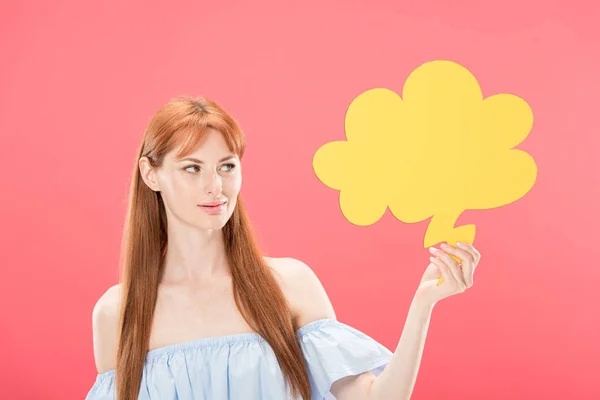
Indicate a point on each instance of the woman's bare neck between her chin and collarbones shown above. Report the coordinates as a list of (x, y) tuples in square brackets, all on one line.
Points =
[(194, 255)]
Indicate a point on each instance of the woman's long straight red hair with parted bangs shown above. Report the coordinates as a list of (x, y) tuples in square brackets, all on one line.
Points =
[(257, 293)]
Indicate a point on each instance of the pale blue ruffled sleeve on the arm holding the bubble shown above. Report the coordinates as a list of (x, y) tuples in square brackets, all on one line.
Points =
[(333, 350)]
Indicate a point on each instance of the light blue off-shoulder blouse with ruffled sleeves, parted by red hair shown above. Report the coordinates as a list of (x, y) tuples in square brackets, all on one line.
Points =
[(243, 366)]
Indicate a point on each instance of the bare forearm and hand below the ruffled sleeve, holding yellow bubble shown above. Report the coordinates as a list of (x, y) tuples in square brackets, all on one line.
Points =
[(399, 376)]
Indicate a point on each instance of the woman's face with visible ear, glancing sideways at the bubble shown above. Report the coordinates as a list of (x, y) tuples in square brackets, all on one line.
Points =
[(200, 189)]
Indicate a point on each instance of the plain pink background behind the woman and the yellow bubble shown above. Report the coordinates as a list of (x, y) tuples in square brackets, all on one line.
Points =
[(80, 80)]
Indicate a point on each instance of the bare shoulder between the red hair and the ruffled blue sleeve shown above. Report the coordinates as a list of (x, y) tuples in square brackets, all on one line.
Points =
[(306, 295)]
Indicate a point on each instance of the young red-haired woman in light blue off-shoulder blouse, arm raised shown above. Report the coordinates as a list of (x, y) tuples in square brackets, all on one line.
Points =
[(201, 314)]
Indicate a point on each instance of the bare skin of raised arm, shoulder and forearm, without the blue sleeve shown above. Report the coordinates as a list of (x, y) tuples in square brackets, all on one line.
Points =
[(308, 298)]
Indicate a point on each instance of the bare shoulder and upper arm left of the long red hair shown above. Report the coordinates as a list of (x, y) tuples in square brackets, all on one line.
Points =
[(105, 324)]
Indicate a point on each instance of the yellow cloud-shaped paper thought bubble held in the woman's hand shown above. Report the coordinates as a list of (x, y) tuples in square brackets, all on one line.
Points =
[(437, 151)]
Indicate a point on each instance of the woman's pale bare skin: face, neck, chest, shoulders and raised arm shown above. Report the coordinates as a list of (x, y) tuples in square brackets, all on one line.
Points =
[(197, 281)]
